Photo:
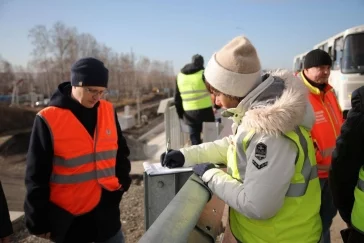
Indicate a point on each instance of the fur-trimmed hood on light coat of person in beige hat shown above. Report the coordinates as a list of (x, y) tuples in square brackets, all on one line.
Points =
[(277, 105)]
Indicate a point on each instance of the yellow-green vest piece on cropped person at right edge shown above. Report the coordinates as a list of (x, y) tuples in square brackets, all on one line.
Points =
[(357, 214)]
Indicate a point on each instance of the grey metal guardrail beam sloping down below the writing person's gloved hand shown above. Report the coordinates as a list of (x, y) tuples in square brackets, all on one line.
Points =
[(180, 221)]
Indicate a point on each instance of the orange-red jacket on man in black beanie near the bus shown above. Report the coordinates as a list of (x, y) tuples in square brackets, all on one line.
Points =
[(329, 119)]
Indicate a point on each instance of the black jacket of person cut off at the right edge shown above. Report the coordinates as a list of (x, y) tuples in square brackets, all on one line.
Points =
[(348, 157)]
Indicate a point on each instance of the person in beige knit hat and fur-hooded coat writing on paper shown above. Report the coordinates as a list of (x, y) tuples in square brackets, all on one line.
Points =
[(271, 183)]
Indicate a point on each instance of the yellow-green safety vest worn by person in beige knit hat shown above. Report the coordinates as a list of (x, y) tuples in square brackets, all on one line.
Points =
[(298, 220)]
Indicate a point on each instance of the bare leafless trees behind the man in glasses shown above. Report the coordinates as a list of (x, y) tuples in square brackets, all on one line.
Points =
[(56, 48)]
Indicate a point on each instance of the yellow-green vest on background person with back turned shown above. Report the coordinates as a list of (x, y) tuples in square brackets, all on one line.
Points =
[(193, 91)]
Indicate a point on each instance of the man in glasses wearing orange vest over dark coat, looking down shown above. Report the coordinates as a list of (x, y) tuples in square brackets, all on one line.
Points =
[(77, 166)]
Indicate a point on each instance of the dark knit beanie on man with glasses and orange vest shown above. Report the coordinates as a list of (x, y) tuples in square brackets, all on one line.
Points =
[(89, 71)]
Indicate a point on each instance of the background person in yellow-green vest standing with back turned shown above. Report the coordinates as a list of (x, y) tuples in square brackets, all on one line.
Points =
[(192, 99)]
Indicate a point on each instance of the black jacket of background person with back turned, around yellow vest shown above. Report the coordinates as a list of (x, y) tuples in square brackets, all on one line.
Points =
[(196, 116)]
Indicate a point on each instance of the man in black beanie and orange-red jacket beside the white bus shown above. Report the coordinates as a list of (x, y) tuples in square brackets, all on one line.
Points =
[(326, 129)]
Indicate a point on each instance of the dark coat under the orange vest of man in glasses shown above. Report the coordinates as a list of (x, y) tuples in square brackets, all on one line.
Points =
[(41, 215)]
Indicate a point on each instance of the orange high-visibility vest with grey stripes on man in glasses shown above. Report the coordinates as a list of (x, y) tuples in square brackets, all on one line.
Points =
[(82, 165)]
